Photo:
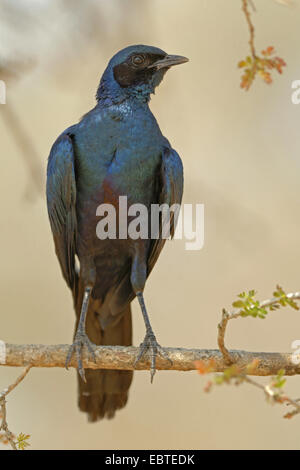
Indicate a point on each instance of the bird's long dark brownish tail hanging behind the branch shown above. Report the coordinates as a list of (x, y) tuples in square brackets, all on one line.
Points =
[(105, 391)]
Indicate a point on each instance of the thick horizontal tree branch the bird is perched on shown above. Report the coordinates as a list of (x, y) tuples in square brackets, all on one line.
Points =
[(122, 358)]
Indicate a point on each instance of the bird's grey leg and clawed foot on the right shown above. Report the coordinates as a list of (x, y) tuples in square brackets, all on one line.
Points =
[(150, 343)]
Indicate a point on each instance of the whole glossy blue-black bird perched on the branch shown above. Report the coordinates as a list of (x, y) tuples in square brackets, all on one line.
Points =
[(117, 149)]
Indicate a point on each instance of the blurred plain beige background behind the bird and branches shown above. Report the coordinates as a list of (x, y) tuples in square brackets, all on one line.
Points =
[(241, 154)]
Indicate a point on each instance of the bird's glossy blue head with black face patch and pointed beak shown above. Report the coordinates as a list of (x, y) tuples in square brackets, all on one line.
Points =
[(135, 72)]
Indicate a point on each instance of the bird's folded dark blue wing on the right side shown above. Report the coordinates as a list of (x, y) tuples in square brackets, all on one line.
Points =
[(171, 188)]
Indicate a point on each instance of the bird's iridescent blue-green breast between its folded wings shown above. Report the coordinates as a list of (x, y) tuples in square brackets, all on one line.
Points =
[(118, 153)]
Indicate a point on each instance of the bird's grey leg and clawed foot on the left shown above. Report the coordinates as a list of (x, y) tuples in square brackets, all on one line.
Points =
[(81, 339)]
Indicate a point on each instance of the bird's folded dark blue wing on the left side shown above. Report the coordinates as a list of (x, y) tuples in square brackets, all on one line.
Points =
[(61, 200)]
